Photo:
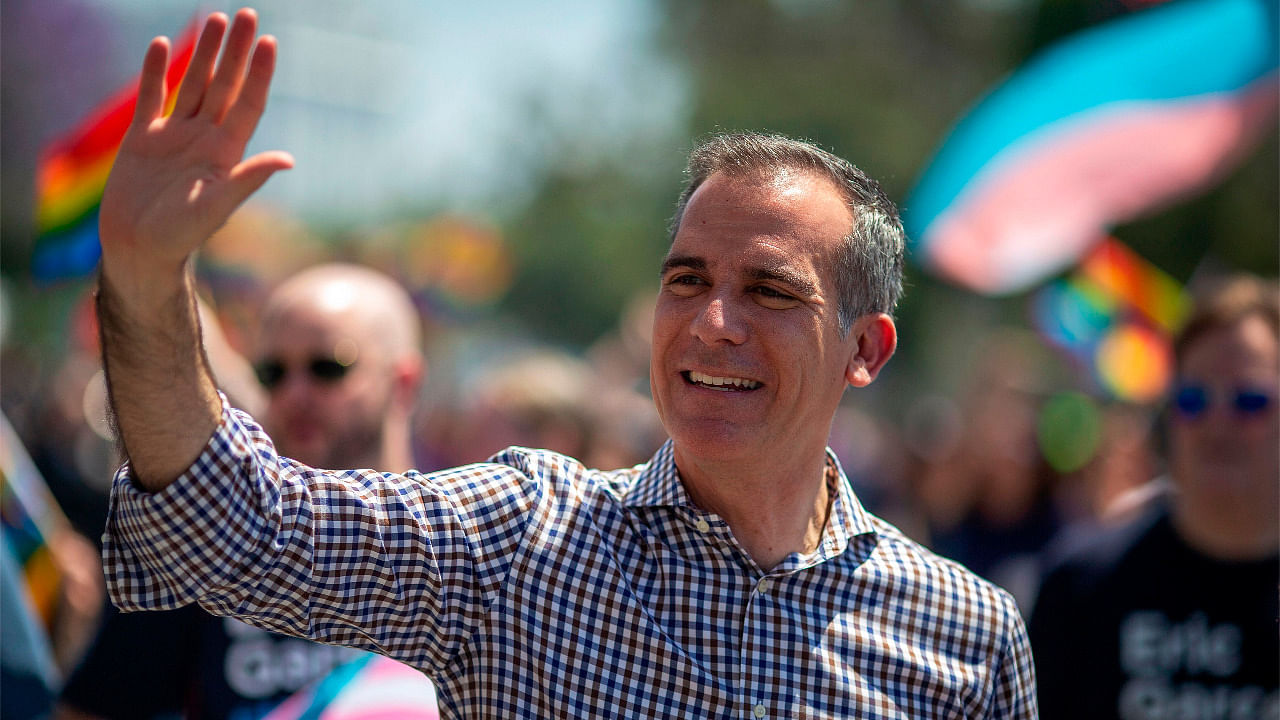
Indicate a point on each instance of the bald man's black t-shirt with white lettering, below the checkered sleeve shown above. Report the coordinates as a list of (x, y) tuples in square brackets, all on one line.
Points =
[(190, 664)]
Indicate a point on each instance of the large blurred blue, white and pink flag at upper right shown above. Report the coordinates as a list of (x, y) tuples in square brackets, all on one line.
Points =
[(1099, 130)]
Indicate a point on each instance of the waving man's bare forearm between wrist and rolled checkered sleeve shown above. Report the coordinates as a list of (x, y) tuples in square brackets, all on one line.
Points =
[(162, 393)]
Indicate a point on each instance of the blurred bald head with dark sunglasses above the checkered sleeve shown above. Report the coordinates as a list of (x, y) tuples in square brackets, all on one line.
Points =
[(339, 356)]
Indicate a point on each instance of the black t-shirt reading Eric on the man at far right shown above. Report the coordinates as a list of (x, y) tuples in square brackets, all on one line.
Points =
[(1137, 626)]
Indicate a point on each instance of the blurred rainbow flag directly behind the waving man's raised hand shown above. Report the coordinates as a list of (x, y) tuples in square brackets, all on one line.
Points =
[(72, 172)]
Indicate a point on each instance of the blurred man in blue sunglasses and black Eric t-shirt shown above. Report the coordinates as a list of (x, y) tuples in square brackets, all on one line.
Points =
[(1174, 613)]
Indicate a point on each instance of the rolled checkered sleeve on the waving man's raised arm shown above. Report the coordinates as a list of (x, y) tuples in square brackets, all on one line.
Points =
[(404, 566)]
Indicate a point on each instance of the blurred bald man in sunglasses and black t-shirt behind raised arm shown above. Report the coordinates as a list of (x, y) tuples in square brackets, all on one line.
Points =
[(339, 357)]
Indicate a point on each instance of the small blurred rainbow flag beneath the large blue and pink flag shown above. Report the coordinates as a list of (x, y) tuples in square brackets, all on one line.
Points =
[(1116, 316)]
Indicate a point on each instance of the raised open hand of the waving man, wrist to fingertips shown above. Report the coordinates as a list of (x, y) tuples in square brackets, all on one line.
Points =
[(177, 179)]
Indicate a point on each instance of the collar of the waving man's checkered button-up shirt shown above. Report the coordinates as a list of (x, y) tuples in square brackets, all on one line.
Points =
[(659, 485)]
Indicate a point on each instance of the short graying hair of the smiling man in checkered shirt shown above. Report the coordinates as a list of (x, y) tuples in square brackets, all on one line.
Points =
[(868, 266)]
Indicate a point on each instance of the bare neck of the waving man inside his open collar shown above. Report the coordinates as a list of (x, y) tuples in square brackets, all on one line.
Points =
[(772, 514)]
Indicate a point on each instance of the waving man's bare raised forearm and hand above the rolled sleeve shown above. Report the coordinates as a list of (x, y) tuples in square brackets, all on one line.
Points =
[(176, 180)]
